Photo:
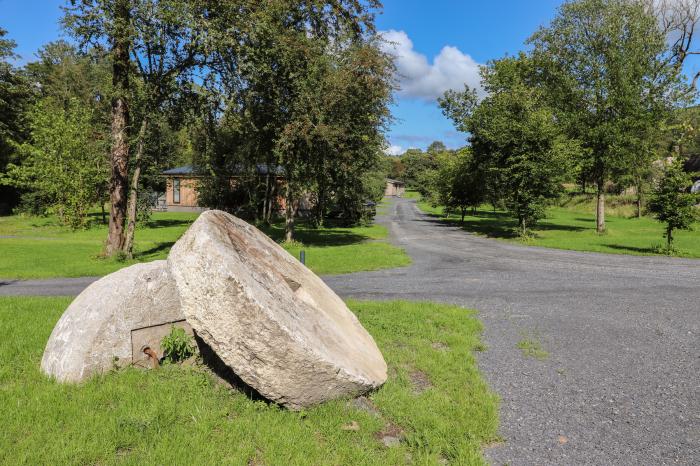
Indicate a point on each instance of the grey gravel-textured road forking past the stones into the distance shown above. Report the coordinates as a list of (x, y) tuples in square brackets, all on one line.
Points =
[(621, 384)]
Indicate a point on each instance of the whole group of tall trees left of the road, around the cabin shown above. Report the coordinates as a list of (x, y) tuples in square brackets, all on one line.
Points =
[(300, 87)]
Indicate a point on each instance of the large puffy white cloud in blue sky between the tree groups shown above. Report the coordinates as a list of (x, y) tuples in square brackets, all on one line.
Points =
[(419, 79)]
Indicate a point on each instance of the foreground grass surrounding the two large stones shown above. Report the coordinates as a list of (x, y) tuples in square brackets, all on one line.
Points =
[(435, 397)]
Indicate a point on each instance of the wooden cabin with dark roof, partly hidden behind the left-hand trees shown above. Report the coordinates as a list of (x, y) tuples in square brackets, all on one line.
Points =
[(181, 186)]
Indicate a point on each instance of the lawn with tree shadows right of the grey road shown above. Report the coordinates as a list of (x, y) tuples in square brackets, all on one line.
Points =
[(572, 226)]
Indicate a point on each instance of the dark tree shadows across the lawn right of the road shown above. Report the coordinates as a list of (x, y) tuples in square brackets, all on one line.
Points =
[(496, 224)]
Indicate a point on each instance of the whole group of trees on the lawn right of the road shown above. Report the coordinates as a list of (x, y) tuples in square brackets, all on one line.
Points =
[(595, 101)]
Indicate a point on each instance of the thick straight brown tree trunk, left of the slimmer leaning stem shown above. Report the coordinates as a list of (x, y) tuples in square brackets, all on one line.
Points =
[(119, 154)]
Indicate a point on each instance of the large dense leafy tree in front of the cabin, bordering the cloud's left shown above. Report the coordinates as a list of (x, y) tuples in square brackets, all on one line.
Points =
[(303, 86)]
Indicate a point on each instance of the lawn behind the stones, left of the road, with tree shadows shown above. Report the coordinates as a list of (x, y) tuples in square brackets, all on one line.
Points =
[(37, 247)]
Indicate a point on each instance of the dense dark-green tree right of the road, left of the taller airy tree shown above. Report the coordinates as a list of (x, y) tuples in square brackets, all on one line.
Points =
[(515, 138)]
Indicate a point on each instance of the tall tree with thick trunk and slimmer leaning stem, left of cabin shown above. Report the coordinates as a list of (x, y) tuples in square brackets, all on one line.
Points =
[(153, 46)]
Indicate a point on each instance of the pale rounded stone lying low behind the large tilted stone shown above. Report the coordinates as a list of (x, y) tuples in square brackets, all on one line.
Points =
[(95, 333)]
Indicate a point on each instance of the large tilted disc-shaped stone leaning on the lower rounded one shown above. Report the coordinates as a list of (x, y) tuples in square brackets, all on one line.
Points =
[(275, 323)]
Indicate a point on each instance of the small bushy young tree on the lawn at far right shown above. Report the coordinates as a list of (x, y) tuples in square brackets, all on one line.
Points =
[(672, 202)]
